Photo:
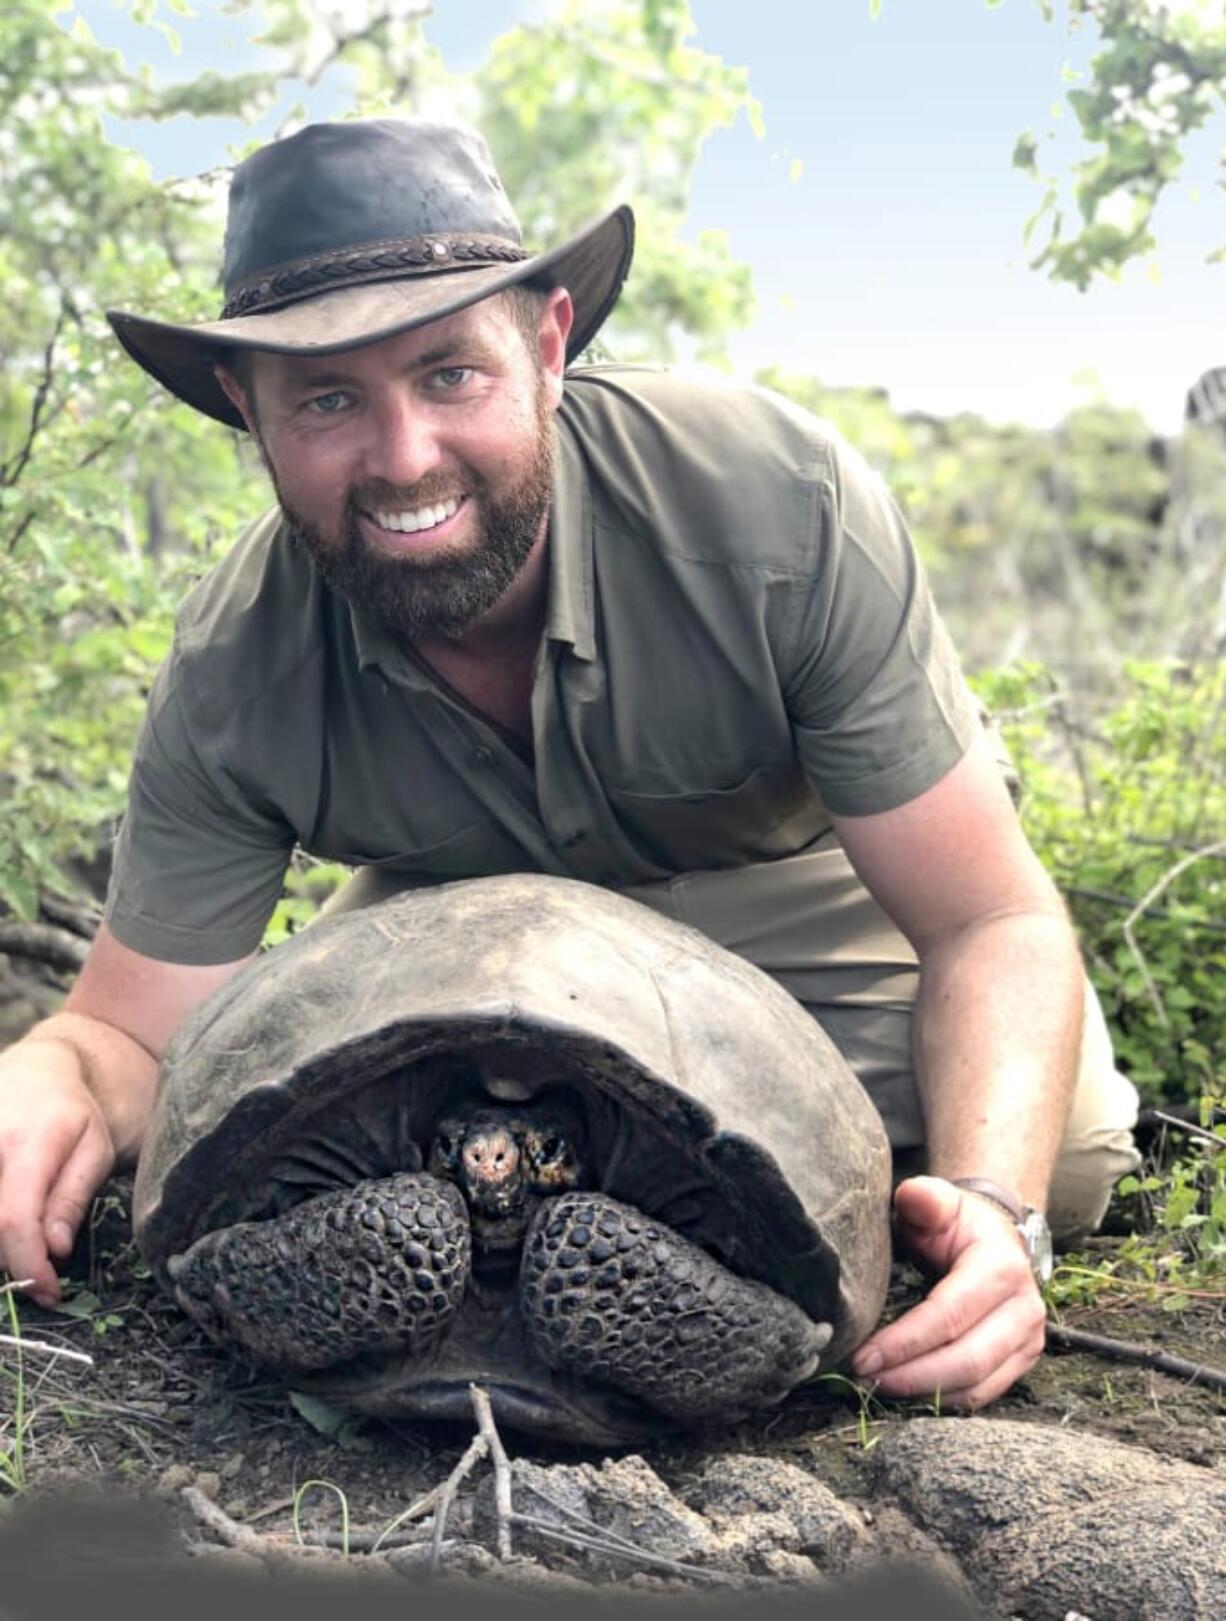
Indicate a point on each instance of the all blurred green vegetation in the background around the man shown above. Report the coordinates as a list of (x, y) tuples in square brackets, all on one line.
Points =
[(1081, 570)]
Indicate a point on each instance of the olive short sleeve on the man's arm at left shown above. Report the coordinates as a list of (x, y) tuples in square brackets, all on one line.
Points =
[(199, 865)]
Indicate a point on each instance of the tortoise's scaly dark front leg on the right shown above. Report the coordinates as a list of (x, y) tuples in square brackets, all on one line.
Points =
[(611, 1294)]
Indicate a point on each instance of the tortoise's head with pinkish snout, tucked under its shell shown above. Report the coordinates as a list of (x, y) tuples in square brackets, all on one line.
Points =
[(505, 1158)]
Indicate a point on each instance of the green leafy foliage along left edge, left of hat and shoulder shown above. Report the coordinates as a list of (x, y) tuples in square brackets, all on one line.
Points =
[(111, 495)]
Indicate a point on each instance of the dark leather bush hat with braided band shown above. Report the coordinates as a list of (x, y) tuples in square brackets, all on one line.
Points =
[(351, 233)]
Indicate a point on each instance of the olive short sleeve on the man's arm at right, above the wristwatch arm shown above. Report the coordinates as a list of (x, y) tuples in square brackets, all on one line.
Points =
[(875, 691)]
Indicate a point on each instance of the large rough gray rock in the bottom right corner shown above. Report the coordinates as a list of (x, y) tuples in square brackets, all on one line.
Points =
[(1048, 1521)]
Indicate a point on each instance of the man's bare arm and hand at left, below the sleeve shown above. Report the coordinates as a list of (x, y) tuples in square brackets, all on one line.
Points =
[(77, 1093)]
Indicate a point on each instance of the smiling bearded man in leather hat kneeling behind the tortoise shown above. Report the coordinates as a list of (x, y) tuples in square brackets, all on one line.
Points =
[(604, 625)]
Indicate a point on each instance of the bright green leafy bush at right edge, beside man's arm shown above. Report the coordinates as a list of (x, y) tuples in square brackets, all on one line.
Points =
[(1130, 816)]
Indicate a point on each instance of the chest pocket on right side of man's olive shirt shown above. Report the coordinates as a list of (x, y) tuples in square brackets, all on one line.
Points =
[(768, 815)]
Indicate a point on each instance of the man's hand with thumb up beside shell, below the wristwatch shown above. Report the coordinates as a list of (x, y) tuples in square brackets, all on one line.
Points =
[(982, 1325)]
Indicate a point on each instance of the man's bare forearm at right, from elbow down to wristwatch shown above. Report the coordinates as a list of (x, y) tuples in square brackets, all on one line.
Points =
[(997, 1048)]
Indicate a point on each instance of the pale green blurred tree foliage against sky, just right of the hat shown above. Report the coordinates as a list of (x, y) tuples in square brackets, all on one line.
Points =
[(622, 106)]
